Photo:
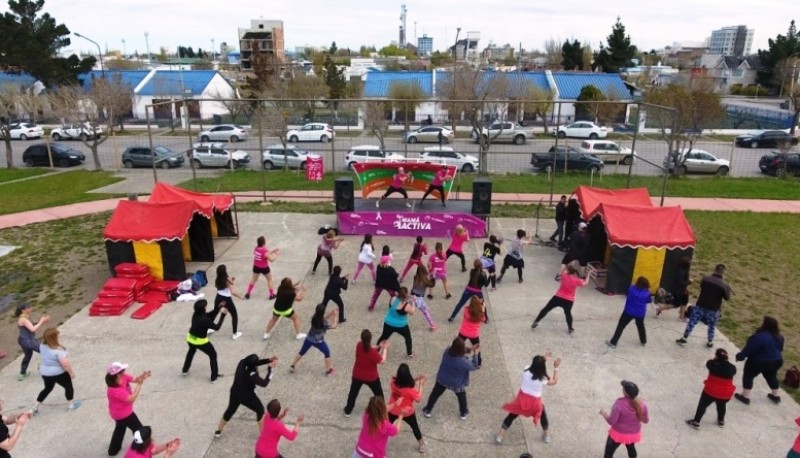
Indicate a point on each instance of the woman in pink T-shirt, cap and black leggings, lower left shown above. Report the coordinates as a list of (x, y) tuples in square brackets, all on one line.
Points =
[(121, 397)]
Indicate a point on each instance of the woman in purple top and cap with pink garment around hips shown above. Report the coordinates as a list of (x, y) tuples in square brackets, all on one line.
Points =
[(626, 418)]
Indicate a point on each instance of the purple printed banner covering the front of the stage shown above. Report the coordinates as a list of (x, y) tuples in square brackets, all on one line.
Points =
[(409, 224)]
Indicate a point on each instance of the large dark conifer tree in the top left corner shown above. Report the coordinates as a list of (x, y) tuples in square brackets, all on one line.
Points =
[(30, 42)]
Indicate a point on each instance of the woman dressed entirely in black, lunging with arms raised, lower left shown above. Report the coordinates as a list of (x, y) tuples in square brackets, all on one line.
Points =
[(243, 390)]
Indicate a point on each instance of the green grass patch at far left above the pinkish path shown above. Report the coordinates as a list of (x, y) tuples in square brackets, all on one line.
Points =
[(53, 190)]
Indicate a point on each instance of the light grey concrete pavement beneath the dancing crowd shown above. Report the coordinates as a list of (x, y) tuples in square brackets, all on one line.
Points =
[(670, 376)]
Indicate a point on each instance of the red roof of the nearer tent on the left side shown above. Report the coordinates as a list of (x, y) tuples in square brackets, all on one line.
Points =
[(135, 221)]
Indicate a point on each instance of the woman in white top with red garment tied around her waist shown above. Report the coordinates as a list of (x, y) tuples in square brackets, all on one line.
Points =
[(528, 402)]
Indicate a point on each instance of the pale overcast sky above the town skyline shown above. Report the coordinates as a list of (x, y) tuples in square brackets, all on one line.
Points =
[(352, 23)]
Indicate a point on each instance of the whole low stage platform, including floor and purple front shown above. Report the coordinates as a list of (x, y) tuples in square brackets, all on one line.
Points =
[(393, 218)]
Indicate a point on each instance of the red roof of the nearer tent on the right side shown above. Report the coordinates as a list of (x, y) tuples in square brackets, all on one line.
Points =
[(639, 226)]
